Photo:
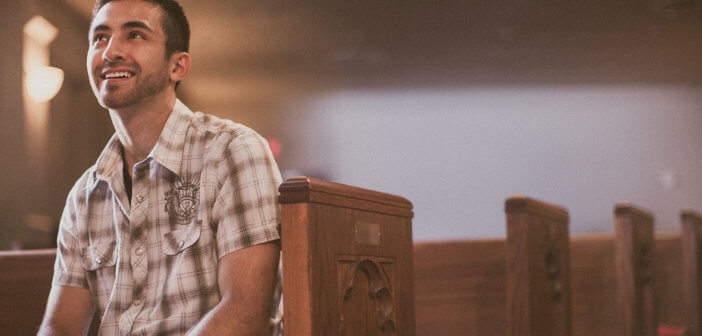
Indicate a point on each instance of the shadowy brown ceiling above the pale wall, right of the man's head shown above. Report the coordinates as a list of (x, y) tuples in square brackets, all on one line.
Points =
[(248, 51)]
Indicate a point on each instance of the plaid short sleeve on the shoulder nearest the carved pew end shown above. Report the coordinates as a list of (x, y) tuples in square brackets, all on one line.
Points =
[(246, 207)]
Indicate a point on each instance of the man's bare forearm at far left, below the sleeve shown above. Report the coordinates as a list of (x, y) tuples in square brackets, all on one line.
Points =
[(68, 312)]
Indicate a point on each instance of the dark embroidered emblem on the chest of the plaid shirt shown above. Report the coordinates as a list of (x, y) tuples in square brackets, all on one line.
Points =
[(183, 198)]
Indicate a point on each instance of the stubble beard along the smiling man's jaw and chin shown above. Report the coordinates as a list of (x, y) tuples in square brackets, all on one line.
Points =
[(115, 97)]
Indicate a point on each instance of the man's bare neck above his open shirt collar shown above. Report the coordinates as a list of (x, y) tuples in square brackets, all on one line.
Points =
[(138, 127)]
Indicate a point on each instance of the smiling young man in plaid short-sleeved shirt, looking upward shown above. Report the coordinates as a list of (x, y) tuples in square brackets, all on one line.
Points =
[(174, 230)]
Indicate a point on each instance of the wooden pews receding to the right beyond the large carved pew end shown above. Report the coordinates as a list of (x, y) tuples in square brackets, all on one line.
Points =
[(542, 281)]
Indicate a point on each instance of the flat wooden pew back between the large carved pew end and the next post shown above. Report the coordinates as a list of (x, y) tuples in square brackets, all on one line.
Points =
[(460, 288)]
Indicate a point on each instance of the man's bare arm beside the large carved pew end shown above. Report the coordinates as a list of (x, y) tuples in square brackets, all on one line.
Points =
[(246, 283)]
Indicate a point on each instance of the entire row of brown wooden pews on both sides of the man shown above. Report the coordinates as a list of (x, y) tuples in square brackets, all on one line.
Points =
[(350, 268)]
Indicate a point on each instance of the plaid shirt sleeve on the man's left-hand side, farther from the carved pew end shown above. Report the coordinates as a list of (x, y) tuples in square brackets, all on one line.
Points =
[(68, 268)]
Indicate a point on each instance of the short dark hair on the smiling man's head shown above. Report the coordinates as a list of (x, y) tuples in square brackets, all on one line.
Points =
[(174, 24)]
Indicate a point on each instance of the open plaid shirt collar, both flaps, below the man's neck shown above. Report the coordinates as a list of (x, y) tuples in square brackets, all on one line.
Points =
[(168, 150)]
